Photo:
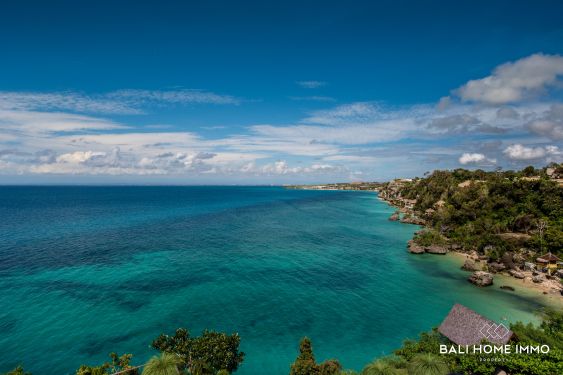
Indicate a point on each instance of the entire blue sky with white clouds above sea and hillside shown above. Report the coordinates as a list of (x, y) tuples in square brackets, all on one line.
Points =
[(276, 92)]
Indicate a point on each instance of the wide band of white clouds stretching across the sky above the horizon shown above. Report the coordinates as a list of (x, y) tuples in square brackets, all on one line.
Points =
[(509, 119)]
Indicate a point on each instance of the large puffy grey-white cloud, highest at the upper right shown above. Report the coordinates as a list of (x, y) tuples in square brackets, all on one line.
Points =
[(515, 81)]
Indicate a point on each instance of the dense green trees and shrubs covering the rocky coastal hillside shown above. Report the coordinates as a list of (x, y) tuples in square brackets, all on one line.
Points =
[(491, 212)]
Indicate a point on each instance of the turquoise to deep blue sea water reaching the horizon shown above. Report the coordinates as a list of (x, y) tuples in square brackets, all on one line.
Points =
[(89, 270)]
